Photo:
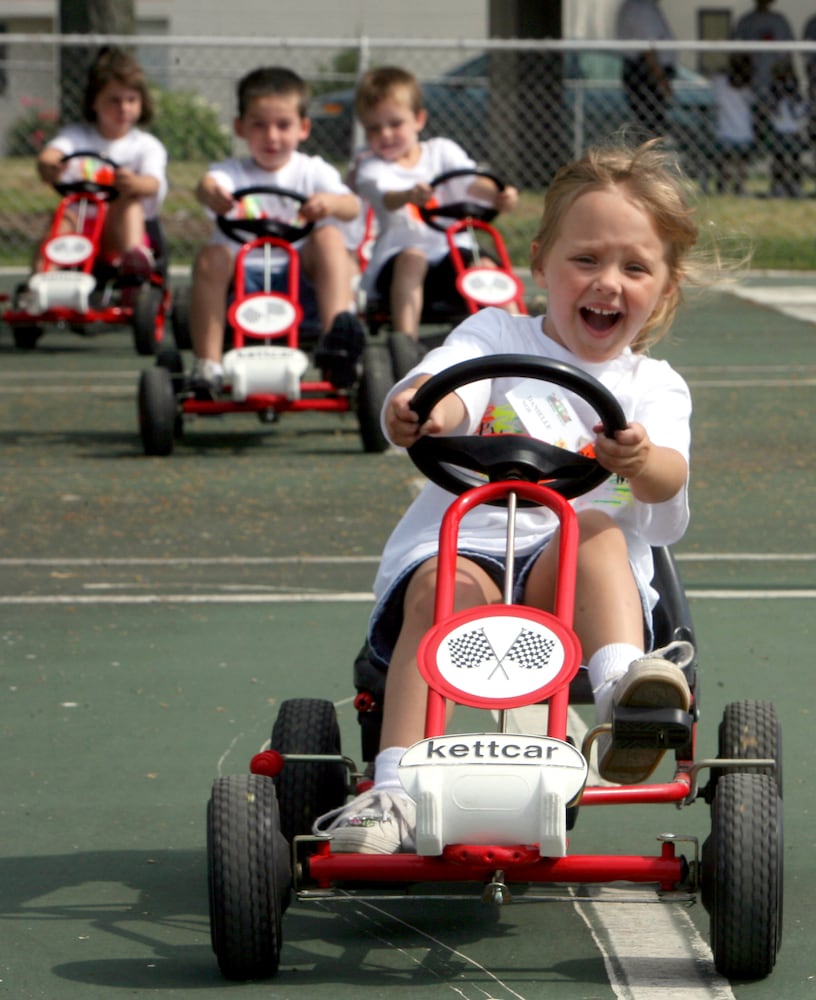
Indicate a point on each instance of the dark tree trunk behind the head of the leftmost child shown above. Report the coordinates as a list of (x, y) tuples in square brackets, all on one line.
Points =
[(87, 17)]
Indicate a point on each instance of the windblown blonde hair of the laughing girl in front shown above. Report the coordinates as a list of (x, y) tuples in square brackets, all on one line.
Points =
[(651, 176)]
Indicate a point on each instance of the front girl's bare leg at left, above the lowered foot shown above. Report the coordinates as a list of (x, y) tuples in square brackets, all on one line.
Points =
[(406, 691)]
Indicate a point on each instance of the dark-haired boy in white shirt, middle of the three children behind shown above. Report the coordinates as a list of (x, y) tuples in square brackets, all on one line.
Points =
[(272, 104)]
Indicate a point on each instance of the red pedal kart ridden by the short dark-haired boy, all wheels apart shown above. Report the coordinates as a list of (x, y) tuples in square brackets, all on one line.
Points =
[(265, 371)]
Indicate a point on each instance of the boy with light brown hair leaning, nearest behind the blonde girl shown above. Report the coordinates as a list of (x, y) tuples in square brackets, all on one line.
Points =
[(410, 261)]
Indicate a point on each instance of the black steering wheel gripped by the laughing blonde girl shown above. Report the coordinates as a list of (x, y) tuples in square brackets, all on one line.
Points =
[(458, 463)]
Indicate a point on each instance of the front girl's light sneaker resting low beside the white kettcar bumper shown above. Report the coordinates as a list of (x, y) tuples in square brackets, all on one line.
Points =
[(380, 821)]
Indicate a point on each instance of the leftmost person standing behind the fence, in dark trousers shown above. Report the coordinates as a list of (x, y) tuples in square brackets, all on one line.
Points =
[(647, 74)]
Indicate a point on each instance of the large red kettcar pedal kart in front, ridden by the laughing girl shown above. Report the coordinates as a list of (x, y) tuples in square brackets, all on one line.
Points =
[(494, 808)]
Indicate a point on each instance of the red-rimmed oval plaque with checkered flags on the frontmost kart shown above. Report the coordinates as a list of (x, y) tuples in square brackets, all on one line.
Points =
[(500, 656)]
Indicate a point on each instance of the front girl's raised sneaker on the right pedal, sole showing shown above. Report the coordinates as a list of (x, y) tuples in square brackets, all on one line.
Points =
[(652, 681)]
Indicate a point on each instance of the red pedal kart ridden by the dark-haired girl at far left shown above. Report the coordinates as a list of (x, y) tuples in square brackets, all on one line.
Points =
[(74, 286)]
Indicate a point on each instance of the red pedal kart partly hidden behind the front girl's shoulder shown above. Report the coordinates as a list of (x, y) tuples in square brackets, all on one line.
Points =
[(483, 277)]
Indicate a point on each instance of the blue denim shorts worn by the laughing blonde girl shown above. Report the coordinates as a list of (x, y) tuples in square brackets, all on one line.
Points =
[(386, 619)]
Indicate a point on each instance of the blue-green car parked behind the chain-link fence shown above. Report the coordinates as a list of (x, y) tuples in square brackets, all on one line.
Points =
[(594, 106)]
